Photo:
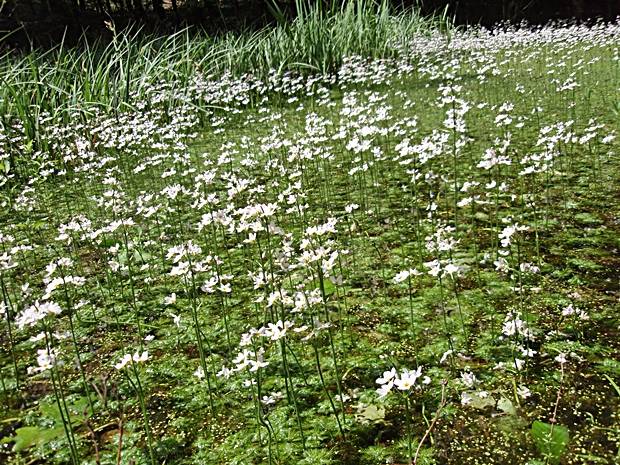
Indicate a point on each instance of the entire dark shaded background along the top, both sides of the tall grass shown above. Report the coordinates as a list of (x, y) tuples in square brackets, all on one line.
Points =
[(48, 21)]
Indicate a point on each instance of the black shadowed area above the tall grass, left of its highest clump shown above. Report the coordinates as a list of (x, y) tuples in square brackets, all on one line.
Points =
[(44, 23)]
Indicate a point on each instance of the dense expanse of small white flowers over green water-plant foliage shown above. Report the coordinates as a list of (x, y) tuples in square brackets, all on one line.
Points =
[(411, 260)]
